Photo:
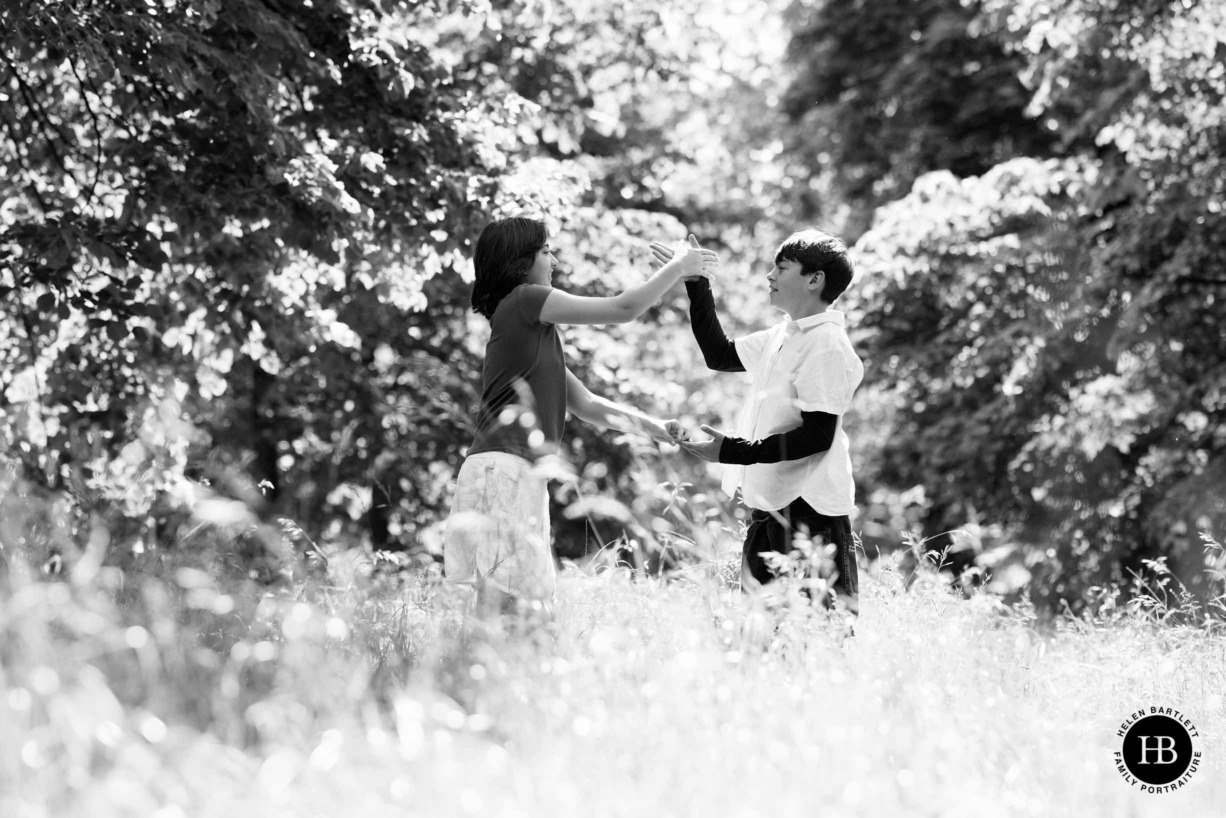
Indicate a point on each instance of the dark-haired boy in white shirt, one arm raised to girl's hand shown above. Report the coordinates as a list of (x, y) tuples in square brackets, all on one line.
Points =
[(790, 454)]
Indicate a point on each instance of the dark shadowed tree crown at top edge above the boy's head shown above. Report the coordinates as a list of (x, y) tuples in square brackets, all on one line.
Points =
[(886, 91)]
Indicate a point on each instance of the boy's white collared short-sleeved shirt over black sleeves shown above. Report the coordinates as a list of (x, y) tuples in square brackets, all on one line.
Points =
[(804, 366)]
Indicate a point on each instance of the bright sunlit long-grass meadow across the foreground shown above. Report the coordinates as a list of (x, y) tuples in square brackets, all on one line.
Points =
[(171, 691)]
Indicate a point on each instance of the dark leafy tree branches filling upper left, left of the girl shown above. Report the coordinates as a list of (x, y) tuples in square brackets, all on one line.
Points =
[(246, 199)]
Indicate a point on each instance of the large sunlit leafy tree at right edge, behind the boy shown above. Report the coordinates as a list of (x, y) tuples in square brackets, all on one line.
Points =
[(1054, 328)]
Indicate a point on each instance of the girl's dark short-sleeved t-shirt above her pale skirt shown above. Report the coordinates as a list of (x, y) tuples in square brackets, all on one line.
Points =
[(524, 381)]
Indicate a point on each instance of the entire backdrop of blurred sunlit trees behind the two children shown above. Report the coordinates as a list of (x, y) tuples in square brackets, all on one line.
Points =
[(235, 262)]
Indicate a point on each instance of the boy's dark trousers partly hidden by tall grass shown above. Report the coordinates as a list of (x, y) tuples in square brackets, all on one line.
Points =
[(774, 532)]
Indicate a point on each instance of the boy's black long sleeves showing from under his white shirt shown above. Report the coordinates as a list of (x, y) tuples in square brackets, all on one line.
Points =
[(817, 430)]
